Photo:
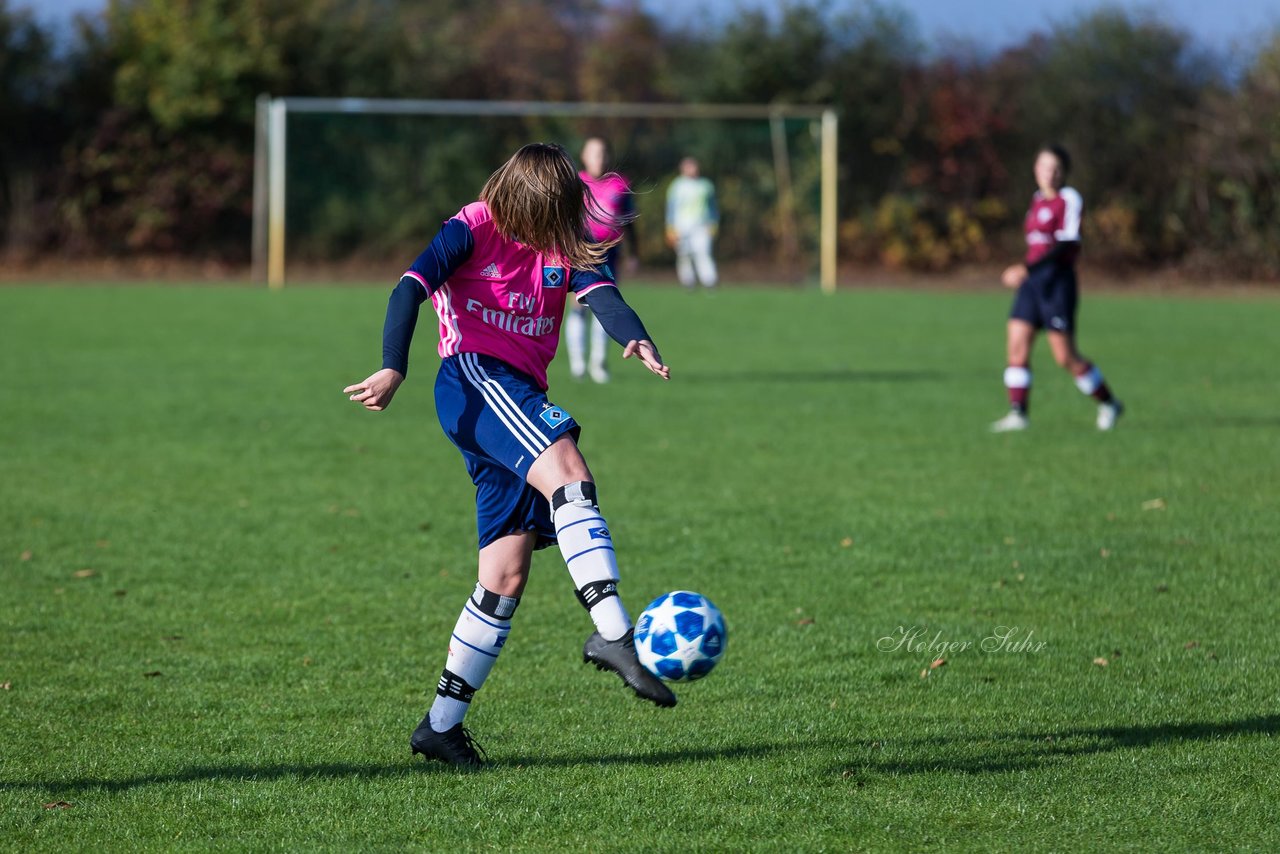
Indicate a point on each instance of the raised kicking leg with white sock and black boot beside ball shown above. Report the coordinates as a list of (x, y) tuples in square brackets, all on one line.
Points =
[(561, 476)]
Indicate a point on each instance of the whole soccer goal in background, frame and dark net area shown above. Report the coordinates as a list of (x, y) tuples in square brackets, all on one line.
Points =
[(354, 184)]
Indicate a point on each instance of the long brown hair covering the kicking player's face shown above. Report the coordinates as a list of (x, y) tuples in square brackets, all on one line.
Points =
[(538, 199)]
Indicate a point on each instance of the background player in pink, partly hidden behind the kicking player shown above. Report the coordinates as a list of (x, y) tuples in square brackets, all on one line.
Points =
[(612, 194)]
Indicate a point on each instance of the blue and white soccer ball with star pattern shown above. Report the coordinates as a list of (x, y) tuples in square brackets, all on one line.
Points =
[(680, 637)]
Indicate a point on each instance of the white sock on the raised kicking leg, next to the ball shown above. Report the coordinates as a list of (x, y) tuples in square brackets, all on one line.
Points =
[(588, 550)]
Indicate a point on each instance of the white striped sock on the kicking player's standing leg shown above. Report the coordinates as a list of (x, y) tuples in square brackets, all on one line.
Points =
[(478, 638)]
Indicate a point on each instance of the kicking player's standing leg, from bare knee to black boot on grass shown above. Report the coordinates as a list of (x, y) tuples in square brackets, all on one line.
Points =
[(478, 638)]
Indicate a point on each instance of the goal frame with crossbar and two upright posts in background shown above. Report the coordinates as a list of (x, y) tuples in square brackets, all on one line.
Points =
[(272, 154)]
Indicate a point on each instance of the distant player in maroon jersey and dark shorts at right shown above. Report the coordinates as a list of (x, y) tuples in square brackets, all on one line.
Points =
[(1048, 295)]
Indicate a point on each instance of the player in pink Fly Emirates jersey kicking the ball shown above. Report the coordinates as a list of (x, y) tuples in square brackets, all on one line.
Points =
[(499, 275)]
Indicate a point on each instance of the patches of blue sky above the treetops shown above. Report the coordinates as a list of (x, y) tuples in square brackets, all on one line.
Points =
[(1220, 25)]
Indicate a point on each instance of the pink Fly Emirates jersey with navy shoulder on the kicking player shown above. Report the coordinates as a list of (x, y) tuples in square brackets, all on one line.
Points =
[(499, 298)]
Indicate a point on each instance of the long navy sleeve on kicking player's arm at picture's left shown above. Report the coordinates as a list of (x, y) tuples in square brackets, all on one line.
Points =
[(433, 268)]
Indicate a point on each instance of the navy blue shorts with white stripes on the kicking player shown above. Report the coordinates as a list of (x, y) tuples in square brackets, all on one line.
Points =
[(501, 422)]
